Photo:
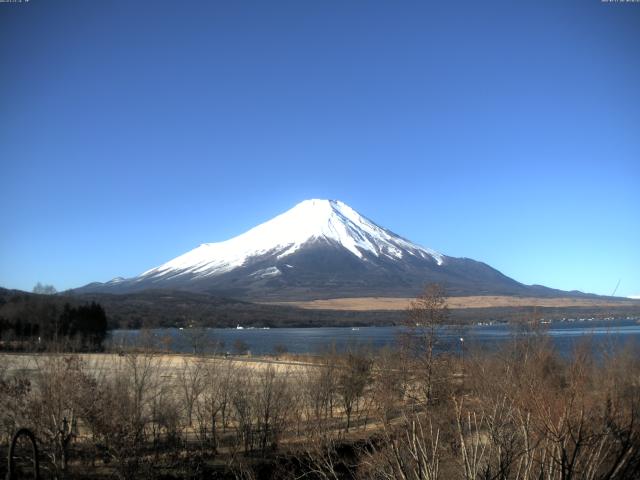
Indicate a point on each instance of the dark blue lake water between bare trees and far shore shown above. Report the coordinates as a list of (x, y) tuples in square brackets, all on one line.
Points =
[(565, 335)]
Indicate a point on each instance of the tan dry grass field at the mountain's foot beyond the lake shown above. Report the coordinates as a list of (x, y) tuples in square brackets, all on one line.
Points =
[(388, 303)]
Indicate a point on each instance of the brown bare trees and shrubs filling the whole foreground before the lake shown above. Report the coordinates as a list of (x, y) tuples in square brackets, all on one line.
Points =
[(520, 412)]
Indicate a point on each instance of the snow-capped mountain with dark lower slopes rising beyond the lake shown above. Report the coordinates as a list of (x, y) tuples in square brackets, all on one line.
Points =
[(319, 249)]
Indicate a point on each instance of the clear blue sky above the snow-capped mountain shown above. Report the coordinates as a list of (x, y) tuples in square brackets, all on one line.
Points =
[(507, 132)]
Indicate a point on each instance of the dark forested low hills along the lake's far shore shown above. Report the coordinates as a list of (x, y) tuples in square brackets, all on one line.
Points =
[(157, 308)]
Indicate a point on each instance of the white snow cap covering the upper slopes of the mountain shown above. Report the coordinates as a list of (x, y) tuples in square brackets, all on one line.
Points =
[(311, 220)]
